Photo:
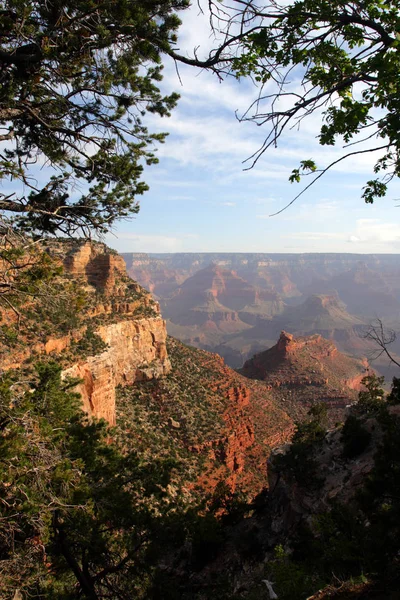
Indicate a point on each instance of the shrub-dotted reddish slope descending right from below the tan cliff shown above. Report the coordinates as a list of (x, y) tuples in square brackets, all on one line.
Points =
[(228, 422)]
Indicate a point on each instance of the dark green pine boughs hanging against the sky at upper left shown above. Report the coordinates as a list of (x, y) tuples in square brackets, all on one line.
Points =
[(77, 78)]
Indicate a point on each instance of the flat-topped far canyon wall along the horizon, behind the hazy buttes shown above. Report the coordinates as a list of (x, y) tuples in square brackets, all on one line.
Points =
[(290, 275)]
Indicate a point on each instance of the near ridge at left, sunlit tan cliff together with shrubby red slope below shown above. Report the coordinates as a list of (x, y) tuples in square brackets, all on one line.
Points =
[(116, 349)]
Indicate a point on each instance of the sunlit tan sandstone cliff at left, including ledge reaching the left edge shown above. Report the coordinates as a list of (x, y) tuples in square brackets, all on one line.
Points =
[(116, 310)]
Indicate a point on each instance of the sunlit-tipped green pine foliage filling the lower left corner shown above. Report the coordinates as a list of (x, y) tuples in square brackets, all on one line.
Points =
[(78, 517)]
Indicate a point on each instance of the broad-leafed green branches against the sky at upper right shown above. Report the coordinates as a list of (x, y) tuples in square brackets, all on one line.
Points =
[(335, 61)]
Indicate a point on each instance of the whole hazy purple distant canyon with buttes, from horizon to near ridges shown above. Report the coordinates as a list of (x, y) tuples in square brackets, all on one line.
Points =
[(237, 304)]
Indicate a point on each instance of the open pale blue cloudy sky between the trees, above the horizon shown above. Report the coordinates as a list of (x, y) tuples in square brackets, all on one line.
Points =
[(202, 200)]
